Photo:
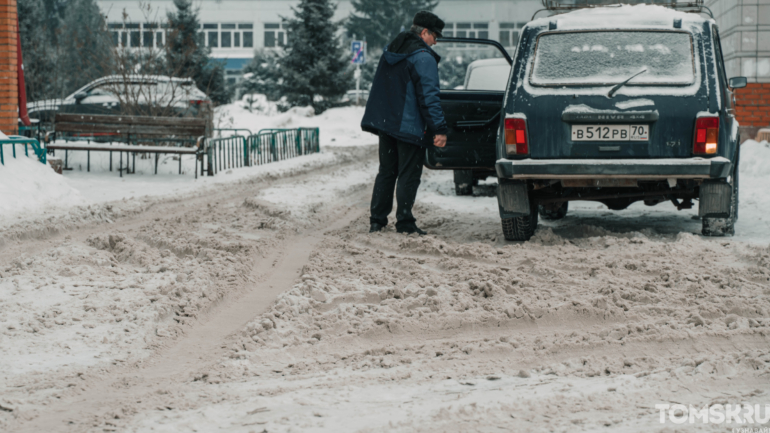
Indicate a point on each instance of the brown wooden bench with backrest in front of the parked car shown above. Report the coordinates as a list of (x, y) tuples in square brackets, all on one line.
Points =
[(139, 128)]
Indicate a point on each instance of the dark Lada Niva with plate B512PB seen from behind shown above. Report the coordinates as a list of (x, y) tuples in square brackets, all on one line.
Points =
[(614, 104)]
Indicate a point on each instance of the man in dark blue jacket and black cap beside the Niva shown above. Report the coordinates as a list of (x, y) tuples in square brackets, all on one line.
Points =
[(404, 109)]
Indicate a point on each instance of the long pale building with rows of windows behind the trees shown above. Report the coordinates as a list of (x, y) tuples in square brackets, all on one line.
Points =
[(233, 29)]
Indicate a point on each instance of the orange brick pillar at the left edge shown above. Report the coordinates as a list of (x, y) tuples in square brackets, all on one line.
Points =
[(9, 98)]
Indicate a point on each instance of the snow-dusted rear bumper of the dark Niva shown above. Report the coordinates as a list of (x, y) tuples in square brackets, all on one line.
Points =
[(679, 168)]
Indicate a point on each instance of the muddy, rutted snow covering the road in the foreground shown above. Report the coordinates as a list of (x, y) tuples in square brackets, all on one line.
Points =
[(262, 303)]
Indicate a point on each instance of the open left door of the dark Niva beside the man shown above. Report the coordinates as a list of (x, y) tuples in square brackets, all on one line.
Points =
[(473, 118)]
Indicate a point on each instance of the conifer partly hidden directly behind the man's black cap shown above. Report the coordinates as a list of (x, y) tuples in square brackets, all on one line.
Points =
[(379, 21)]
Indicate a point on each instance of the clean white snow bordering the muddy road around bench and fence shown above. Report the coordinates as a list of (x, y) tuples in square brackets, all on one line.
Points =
[(40, 194)]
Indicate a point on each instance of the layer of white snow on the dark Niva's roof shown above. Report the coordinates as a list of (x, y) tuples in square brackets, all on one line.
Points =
[(623, 16)]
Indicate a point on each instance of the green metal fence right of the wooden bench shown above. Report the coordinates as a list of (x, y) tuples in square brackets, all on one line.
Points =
[(268, 145)]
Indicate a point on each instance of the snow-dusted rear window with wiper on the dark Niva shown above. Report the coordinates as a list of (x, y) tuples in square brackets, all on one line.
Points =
[(611, 57)]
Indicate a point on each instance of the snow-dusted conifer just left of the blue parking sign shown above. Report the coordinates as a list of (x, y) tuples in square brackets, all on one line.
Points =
[(315, 68)]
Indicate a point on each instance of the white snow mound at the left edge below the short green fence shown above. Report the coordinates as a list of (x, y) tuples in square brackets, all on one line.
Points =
[(28, 186)]
